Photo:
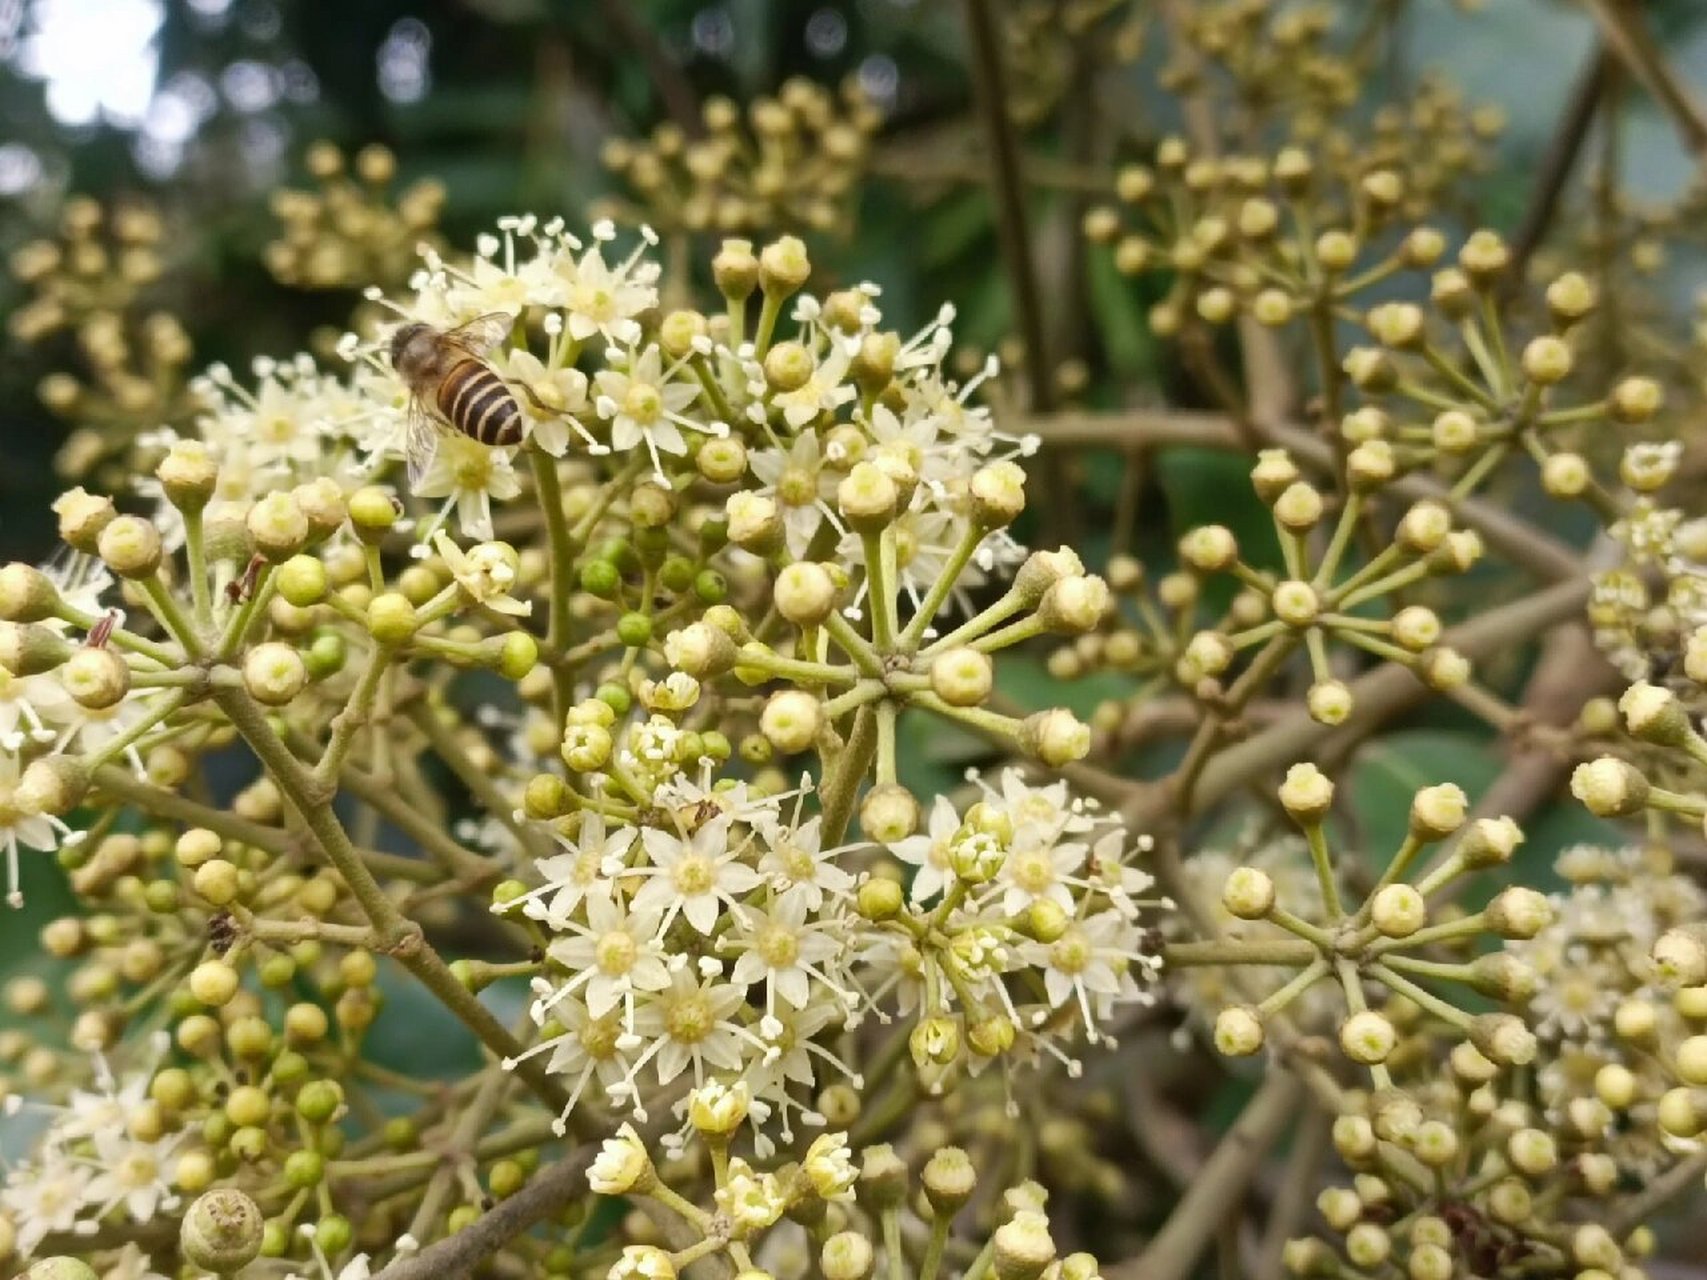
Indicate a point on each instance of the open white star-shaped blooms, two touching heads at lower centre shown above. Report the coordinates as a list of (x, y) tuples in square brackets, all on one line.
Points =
[(718, 936)]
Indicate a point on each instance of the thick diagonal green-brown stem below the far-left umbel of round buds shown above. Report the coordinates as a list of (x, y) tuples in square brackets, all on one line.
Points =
[(402, 938)]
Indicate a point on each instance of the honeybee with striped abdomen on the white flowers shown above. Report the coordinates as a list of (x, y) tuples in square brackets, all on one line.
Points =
[(452, 383)]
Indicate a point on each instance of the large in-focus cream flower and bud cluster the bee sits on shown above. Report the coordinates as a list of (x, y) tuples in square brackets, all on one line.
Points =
[(743, 549)]
